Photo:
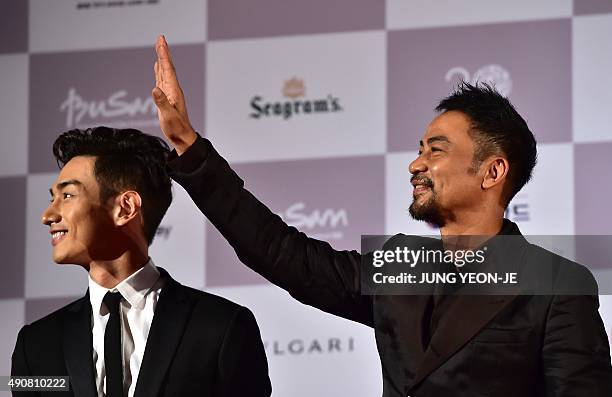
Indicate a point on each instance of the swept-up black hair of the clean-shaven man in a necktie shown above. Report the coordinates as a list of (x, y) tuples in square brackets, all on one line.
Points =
[(125, 159)]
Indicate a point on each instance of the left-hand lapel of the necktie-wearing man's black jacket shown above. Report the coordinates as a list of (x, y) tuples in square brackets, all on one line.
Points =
[(78, 351)]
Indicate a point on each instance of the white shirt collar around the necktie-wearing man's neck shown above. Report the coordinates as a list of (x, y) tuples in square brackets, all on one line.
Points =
[(133, 289)]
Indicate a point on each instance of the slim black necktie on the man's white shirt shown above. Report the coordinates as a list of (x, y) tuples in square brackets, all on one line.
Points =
[(112, 347)]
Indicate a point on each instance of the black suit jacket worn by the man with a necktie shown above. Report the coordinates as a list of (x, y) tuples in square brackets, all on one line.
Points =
[(198, 345)]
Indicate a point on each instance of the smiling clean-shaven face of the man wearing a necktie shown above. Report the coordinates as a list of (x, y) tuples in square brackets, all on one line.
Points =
[(79, 222)]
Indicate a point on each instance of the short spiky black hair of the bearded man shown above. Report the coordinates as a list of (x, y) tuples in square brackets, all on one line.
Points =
[(497, 128)]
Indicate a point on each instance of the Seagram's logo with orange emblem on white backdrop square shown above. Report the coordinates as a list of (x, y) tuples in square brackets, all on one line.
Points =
[(296, 103)]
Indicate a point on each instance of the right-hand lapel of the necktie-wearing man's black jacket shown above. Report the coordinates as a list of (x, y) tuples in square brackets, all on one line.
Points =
[(169, 321)]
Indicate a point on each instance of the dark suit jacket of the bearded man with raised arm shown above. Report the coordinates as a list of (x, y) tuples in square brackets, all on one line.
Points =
[(504, 345)]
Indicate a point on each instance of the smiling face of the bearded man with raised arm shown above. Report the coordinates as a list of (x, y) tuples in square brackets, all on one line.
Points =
[(444, 177)]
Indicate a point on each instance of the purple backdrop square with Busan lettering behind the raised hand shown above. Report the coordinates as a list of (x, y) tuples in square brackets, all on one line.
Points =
[(66, 93)]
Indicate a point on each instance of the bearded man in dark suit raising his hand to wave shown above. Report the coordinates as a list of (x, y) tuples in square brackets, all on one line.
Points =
[(472, 160)]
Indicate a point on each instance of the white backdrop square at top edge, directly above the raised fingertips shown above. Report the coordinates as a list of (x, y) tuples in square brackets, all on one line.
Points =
[(69, 25)]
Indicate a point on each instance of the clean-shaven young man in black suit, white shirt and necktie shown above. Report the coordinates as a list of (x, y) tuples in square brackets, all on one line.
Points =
[(136, 332)]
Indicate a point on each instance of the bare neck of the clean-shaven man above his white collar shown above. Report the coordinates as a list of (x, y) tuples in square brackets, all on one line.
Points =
[(109, 273)]
